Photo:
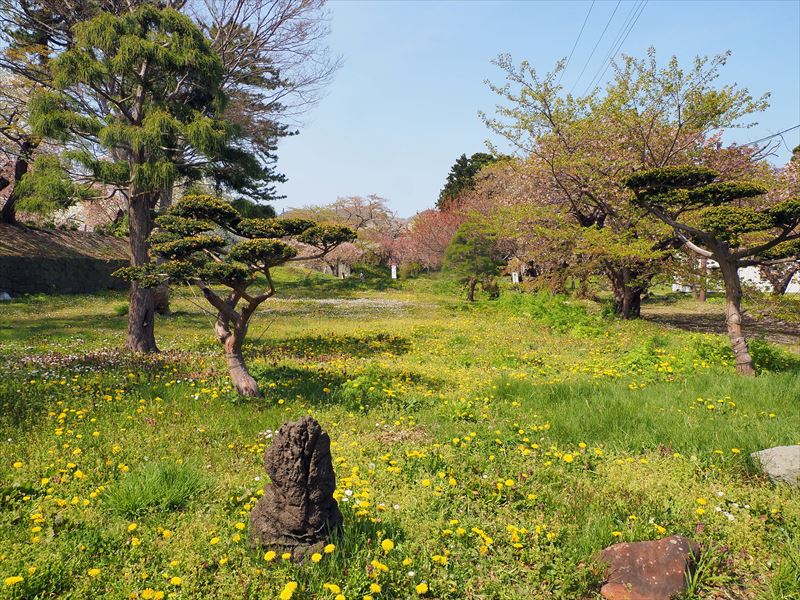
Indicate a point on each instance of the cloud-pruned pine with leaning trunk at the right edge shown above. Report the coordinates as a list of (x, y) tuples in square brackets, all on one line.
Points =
[(713, 219)]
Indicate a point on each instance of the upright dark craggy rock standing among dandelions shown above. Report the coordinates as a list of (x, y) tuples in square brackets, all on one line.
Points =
[(297, 510)]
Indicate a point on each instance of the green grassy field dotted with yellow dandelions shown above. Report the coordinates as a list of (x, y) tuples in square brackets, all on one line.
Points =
[(498, 445)]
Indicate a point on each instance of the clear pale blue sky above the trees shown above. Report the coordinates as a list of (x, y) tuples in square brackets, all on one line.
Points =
[(404, 104)]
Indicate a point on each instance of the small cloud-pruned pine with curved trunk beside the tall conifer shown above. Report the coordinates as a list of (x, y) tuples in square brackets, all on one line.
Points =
[(205, 241)]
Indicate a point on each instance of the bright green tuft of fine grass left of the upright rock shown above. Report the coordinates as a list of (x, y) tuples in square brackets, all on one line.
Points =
[(156, 486)]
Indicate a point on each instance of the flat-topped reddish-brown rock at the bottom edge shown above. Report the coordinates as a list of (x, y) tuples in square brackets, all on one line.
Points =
[(655, 570)]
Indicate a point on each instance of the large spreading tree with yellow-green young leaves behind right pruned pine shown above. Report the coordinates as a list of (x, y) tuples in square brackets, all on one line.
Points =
[(648, 117)]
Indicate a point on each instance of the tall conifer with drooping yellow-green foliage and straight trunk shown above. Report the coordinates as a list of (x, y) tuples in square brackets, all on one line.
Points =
[(138, 98)]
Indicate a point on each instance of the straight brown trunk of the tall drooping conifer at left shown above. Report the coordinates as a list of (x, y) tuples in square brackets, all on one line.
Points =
[(141, 314)]
